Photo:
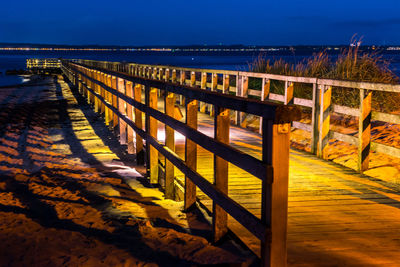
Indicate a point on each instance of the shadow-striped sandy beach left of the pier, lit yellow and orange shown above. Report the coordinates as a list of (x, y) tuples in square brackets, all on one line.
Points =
[(71, 196)]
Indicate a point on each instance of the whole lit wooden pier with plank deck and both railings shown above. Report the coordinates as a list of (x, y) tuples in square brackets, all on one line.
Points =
[(242, 177)]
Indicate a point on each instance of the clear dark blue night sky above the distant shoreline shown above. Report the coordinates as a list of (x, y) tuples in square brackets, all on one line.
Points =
[(153, 22)]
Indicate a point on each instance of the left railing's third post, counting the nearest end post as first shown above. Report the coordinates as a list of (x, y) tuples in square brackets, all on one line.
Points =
[(190, 152)]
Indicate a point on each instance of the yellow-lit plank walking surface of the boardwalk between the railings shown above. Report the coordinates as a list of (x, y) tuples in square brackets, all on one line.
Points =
[(337, 217)]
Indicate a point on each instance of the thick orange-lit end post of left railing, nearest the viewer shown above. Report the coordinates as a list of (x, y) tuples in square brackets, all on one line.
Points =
[(274, 208)]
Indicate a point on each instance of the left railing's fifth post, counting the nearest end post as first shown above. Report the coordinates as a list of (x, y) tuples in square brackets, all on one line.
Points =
[(151, 129)]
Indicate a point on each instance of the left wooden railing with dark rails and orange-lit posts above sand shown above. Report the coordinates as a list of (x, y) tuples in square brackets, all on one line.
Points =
[(115, 90)]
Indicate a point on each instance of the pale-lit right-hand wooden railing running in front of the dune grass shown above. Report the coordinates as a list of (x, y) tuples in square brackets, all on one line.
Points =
[(237, 83)]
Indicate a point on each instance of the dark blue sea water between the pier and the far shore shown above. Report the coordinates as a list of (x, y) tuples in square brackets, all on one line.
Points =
[(11, 60)]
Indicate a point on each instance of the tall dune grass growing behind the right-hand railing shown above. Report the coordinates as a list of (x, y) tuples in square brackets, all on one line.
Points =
[(351, 64)]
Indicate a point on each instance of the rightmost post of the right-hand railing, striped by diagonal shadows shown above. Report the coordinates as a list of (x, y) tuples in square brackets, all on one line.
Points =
[(364, 130)]
